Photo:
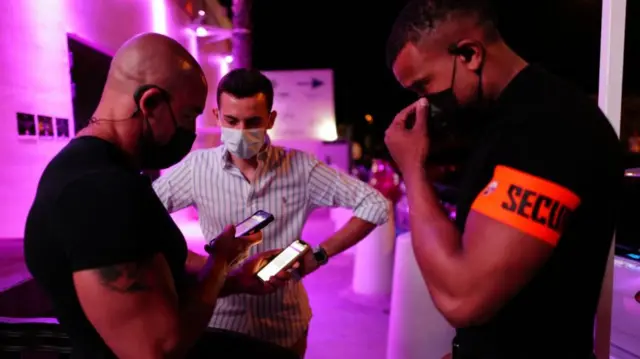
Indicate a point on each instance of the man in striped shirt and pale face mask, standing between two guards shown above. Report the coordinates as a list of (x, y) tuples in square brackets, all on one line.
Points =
[(247, 173)]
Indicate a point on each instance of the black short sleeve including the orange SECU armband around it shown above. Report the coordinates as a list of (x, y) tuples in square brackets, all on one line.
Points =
[(537, 183)]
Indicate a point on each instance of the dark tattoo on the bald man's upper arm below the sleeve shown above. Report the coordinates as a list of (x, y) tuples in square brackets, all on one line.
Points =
[(124, 278)]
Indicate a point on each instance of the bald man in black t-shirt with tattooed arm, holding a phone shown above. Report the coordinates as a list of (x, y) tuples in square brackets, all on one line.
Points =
[(97, 238)]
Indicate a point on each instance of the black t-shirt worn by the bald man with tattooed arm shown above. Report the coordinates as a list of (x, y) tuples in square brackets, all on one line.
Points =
[(93, 210)]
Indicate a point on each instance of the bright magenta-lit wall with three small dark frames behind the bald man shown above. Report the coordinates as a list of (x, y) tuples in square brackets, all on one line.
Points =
[(36, 80)]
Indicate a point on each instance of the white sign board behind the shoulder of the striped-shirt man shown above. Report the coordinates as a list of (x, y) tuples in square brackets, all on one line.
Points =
[(305, 106)]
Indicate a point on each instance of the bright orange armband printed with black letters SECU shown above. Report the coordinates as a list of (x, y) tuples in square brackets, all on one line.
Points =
[(533, 205)]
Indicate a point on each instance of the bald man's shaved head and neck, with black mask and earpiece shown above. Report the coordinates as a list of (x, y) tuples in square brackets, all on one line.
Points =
[(154, 92)]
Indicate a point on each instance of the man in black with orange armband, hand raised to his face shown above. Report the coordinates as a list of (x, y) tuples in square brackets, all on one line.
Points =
[(519, 273)]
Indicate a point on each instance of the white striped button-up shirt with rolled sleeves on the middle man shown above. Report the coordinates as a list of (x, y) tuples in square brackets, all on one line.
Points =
[(289, 184)]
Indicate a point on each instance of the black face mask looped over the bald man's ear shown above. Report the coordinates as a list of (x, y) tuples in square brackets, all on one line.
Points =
[(155, 156)]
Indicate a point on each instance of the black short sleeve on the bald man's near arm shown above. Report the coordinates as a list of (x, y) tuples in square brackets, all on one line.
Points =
[(107, 219)]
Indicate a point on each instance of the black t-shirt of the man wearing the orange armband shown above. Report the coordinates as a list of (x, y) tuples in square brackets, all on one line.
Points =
[(548, 129)]
